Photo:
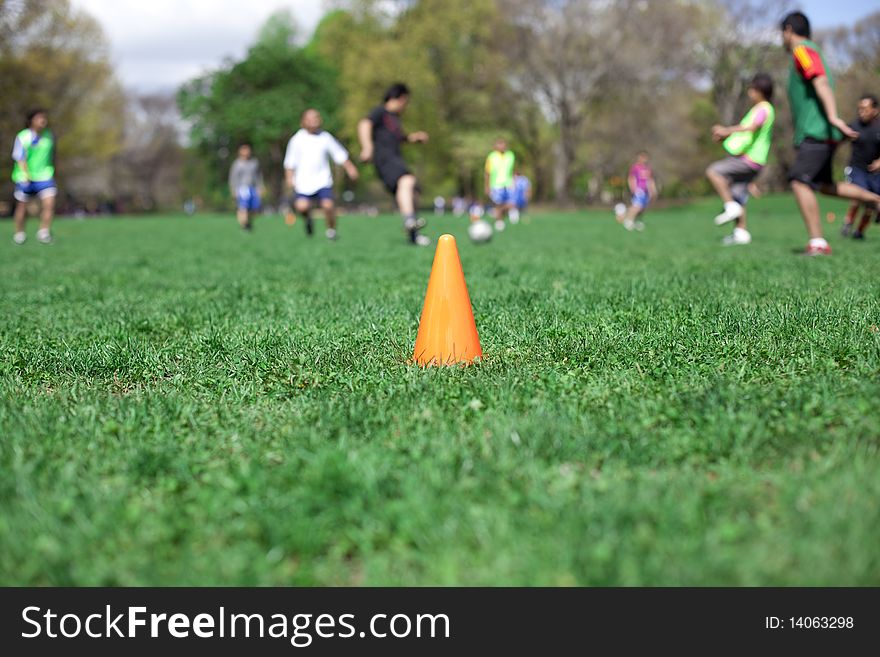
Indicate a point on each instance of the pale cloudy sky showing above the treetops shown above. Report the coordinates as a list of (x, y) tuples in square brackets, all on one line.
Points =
[(159, 44)]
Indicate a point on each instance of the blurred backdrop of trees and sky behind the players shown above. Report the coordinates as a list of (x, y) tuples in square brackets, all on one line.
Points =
[(149, 100)]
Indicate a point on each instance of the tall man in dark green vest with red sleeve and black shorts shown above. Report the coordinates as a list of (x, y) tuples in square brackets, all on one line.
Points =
[(817, 130)]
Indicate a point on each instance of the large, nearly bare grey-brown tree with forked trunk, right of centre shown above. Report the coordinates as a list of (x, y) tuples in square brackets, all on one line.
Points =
[(578, 58)]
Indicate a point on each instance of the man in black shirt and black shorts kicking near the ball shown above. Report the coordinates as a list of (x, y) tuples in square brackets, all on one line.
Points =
[(381, 135)]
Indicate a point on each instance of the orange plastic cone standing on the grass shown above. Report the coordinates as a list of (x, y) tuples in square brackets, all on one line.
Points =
[(447, 332)]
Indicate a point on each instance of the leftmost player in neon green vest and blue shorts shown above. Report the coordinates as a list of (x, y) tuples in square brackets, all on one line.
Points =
[(34, 174)]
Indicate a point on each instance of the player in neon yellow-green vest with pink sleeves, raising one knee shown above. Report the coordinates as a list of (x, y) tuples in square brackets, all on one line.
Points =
[(748, 144)]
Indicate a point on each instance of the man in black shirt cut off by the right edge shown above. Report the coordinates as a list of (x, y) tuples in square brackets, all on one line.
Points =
[(864, 164)]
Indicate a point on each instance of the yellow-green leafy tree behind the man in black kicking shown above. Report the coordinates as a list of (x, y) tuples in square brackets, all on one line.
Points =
[(456, 70)]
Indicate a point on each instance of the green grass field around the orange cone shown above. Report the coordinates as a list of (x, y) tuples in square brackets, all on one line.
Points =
[(186, 404)]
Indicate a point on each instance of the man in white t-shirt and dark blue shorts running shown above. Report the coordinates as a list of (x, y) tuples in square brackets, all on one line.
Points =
[(307, 170)]
